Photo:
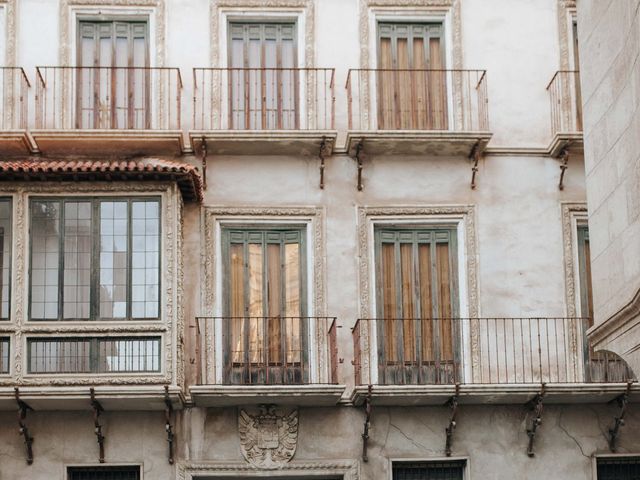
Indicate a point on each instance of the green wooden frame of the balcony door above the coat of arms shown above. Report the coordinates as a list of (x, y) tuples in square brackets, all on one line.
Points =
[(225, 232)]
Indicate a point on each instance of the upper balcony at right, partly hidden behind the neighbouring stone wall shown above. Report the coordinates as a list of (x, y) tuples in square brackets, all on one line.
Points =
[(566, 112)]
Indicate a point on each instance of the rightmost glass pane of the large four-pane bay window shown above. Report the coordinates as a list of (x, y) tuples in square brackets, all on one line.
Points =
[(145, 259)]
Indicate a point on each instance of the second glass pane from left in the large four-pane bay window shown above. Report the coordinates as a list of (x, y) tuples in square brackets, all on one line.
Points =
[(77, 260)]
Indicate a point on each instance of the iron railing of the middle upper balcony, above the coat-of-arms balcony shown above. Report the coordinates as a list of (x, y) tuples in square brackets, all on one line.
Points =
[(264, 99)]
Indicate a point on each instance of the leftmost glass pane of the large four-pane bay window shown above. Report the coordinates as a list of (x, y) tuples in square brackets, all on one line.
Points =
[(45, 251)]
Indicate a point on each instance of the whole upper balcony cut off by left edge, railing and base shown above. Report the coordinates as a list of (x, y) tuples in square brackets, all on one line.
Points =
[(14, 89)]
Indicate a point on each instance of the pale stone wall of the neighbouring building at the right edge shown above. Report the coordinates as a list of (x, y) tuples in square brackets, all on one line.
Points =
[(610, 72)]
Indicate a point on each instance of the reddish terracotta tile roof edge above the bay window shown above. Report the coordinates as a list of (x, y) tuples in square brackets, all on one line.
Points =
[(187, 176)]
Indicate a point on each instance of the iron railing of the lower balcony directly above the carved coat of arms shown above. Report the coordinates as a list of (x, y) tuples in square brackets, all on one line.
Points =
[(266, 350)]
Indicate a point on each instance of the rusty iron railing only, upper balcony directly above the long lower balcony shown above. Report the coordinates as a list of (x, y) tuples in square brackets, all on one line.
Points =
[(417, 99)]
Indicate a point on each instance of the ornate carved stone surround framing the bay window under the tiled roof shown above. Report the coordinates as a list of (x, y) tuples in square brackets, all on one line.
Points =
[(171, 284)]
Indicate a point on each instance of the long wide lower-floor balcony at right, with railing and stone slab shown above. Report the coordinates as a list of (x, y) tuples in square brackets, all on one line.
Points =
[(492, 360)]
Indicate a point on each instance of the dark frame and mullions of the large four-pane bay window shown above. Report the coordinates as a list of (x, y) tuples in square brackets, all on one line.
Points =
[(94, 286)]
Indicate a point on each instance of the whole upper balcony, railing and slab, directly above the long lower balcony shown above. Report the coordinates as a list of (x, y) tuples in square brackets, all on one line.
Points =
[(417, 112)]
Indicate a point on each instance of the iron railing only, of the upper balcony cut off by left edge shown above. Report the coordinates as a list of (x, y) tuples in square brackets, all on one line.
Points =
[(14, 108)]
